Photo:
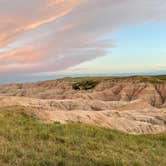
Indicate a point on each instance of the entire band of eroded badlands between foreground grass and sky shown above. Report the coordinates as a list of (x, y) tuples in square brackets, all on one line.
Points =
[(131, 104)]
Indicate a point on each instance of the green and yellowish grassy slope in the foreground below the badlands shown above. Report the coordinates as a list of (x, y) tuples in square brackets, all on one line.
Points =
[(24, 141)]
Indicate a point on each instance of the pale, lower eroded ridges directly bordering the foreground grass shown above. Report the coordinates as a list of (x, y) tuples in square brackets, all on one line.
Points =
[(136, 117)]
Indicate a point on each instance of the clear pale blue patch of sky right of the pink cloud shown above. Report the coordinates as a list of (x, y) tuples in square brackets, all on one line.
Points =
[(139, 48)]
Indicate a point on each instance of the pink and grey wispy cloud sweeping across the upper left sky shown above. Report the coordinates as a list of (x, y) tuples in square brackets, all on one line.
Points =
[(50, 35)]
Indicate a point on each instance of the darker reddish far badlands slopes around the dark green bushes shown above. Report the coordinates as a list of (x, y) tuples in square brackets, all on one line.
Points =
[(126, 89)]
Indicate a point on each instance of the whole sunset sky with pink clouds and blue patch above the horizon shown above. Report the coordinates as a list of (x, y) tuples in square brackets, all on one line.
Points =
[(42, 39)]
